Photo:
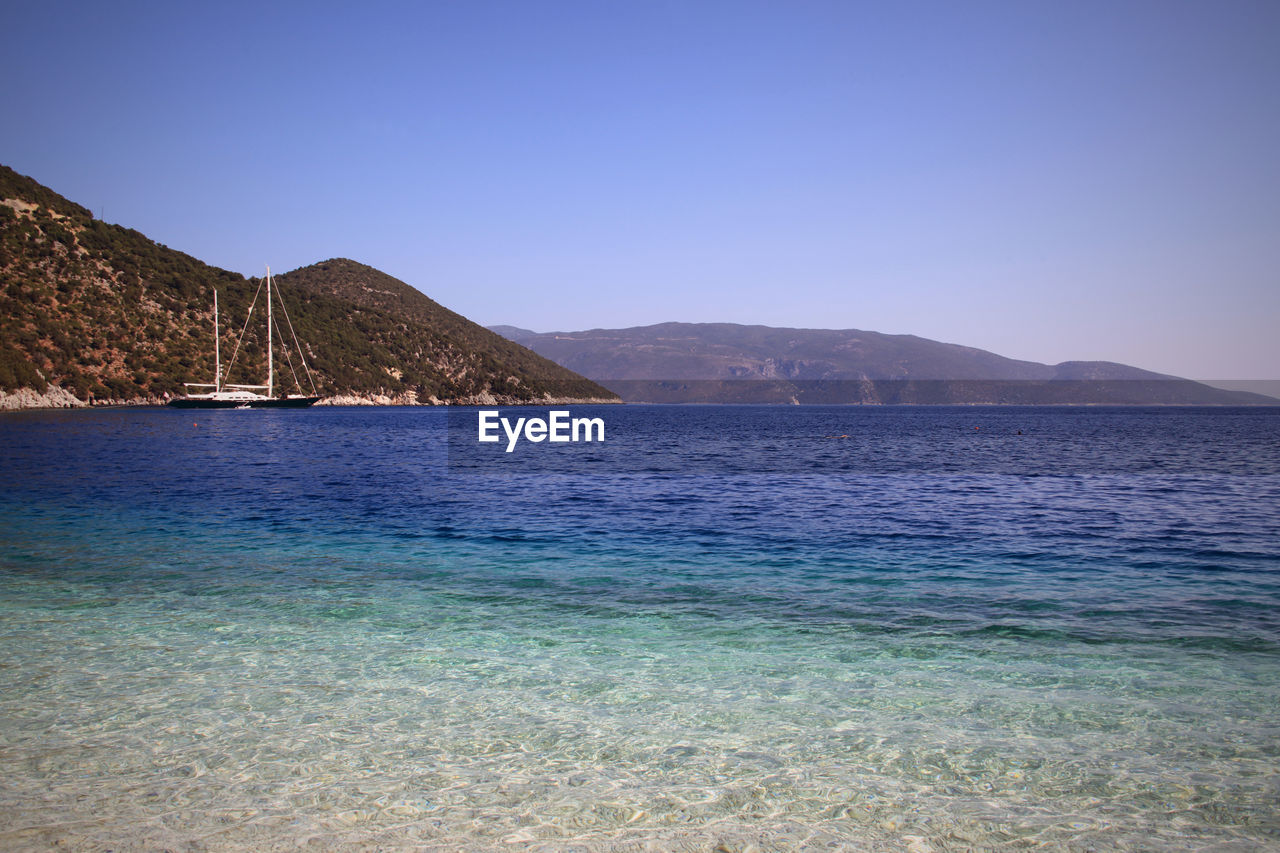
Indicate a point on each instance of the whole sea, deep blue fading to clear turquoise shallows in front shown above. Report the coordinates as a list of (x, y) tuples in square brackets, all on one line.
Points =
[(723, 628)]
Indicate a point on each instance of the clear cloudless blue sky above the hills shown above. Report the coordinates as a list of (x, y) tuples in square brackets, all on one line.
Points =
[(1052, 181)]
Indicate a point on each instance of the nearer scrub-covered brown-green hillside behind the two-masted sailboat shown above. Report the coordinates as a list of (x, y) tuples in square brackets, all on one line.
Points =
[(112, 316)]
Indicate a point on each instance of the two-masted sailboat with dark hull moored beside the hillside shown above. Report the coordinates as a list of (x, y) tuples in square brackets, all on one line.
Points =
[(236, 396)]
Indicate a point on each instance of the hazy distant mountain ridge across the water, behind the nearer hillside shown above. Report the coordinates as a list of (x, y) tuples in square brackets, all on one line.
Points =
[(726, 363)]
